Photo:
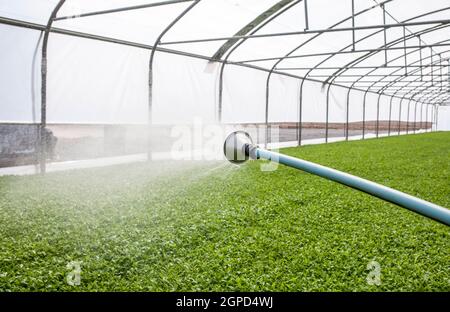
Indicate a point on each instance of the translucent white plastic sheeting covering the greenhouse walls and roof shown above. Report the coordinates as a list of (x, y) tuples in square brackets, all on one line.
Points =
[(99, 54)]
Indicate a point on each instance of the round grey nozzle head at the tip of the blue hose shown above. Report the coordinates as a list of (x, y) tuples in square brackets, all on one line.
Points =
[(239, 147)]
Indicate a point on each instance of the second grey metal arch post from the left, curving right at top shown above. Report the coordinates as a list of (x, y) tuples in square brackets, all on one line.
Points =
[(151, 62)]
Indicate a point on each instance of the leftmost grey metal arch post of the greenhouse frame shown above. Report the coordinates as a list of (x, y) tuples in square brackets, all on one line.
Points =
[(42, 136)]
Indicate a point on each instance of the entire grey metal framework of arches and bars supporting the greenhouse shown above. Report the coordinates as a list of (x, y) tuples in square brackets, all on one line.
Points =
[(432, 95)]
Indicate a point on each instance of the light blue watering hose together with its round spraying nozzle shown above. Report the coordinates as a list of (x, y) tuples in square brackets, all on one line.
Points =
[(239, 147)]
